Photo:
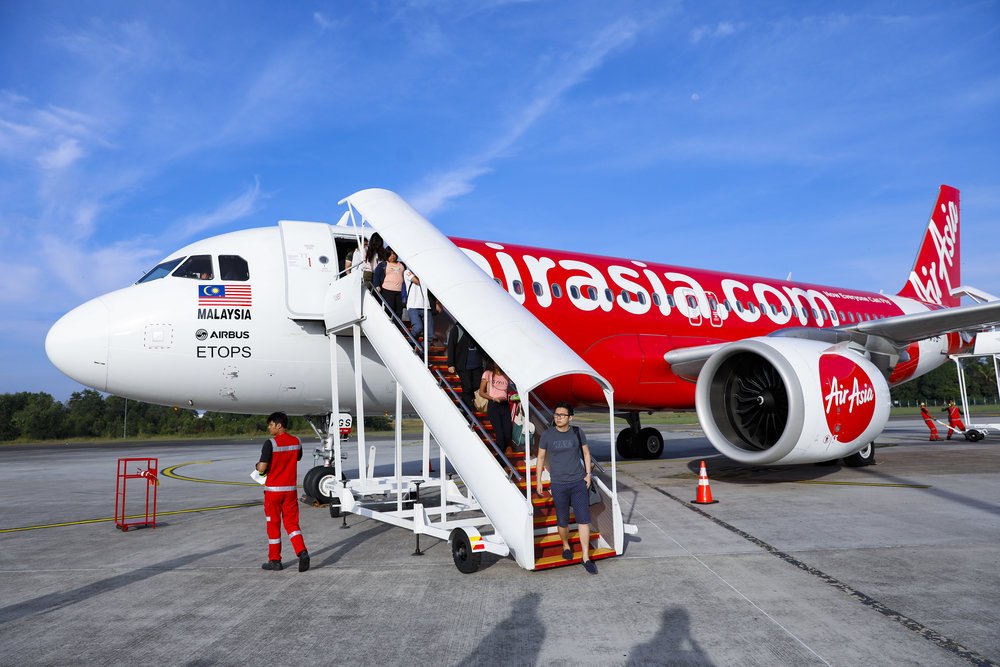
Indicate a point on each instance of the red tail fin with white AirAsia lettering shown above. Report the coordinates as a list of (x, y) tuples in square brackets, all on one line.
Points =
[(937, 269)]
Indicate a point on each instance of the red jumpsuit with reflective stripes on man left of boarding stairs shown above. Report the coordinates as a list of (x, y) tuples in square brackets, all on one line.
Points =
[(281, 502)]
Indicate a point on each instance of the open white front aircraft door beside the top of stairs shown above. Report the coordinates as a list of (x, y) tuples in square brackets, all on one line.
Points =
[(310, 259)]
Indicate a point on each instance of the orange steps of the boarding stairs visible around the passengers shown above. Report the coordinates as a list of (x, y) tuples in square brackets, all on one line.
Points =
[(547, 544)]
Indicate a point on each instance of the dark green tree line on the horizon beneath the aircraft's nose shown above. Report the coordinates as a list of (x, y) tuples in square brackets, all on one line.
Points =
[(89, 414)]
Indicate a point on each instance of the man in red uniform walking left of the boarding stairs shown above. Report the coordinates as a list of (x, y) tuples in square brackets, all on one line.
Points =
[(279, 461)]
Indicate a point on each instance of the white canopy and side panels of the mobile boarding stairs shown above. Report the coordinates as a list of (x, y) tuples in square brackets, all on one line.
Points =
[(518, 341)]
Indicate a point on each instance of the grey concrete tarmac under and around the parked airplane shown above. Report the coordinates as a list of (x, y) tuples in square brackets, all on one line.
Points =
[(805, 565)]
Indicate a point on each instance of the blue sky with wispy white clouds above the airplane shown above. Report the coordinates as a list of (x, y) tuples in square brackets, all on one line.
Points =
[(762, 138)]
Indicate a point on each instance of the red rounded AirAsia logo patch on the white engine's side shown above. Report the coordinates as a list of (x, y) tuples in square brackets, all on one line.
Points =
[(848, 396)]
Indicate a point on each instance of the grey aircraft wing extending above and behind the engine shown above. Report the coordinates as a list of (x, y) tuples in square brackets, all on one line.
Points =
[(686, 362)]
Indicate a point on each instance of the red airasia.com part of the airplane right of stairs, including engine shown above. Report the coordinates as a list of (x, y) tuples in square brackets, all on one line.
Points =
[(652, 330)]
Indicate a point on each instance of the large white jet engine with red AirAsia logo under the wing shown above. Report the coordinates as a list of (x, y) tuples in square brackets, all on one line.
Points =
[(766, 401)]
